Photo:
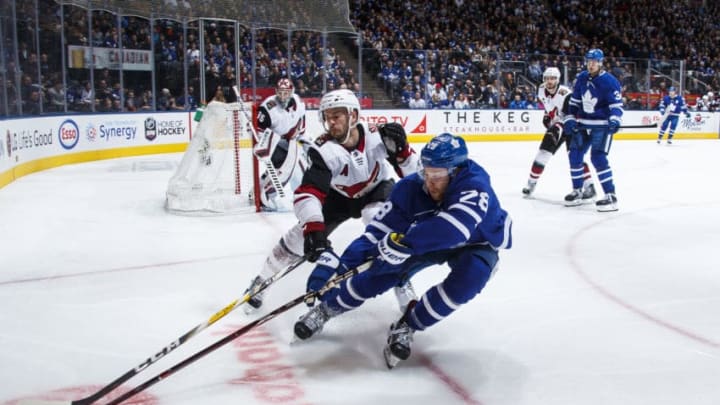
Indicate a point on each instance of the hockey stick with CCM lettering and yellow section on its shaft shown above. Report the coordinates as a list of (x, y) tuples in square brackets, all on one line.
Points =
[(176, 343)]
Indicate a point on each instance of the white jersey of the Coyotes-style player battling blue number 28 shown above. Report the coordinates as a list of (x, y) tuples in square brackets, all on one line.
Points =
[(352, 173)]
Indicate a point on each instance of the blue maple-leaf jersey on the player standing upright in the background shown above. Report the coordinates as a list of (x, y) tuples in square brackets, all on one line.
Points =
[(595, 100)]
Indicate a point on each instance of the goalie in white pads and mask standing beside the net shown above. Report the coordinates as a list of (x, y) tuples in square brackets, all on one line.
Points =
[(281, 131)]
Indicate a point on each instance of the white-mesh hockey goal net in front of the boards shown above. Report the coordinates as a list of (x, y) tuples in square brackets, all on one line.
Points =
[(218, 172)]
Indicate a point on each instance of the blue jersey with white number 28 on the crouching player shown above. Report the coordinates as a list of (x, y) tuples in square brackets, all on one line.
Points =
[(470, 213)]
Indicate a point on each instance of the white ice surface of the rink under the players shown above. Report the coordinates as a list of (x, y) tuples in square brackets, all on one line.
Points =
[(587, 307)]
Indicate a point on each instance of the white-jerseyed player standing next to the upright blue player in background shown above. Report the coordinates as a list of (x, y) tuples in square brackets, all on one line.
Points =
[(554, 96)]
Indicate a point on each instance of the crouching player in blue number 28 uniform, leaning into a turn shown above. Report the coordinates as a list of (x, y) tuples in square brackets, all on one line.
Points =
[(445, 213)]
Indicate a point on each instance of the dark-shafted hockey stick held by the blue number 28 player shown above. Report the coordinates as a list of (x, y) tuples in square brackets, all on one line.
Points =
[(239, 332)]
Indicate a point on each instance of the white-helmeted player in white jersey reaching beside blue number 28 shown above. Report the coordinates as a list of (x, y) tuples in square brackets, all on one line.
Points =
[(348, 177)]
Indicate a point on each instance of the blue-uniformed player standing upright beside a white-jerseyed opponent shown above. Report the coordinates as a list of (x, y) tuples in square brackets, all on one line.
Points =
[(594, 116)]
